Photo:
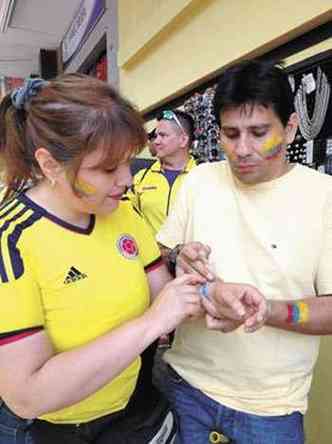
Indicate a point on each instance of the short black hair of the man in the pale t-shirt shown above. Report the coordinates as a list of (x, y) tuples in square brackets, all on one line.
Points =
[(254, 82)]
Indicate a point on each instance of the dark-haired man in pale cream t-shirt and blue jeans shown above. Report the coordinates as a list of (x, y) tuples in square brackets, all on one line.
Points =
[(268, 223)]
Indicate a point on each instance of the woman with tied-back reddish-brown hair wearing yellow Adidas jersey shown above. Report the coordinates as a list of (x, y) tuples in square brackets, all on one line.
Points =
[(82, 287)]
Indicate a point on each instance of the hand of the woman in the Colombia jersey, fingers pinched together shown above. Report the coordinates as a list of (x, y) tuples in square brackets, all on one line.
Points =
[(177, 301)]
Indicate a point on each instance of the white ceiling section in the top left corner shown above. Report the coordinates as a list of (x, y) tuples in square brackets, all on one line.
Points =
[(35, 24)]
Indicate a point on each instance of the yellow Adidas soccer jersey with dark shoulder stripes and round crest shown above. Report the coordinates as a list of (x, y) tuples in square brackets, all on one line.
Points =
[(75, 283)]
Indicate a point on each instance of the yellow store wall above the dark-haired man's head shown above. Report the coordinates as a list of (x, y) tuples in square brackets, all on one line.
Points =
[(166, 47)]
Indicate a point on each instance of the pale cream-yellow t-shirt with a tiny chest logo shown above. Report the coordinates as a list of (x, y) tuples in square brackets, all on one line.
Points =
[(276, 236)]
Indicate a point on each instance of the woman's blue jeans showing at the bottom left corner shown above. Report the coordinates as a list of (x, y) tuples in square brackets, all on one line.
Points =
[(13, 430)]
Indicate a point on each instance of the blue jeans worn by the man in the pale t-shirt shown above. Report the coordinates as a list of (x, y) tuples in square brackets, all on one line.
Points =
[(201, 419)]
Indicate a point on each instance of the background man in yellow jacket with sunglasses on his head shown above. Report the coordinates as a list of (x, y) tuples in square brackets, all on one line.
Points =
[(155, 187)]
